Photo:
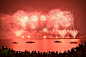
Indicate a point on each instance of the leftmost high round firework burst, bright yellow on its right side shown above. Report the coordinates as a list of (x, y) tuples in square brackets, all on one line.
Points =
[(20, 18)]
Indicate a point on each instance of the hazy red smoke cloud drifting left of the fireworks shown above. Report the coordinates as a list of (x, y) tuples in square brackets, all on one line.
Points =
[(7, 26)]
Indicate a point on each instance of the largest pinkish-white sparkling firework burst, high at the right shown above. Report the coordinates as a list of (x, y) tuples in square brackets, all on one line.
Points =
[(64, 19)]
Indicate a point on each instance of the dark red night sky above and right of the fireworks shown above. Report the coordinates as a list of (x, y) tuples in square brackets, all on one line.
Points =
[(78, 6)]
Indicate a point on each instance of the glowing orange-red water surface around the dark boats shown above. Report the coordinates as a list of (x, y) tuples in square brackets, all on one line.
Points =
[(42, 45)]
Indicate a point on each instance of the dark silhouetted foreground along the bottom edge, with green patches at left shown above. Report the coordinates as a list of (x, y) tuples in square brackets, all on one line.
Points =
[(79, 51)]
